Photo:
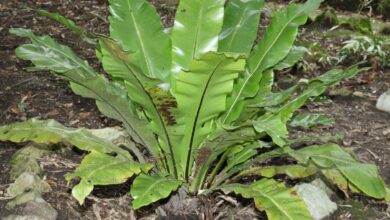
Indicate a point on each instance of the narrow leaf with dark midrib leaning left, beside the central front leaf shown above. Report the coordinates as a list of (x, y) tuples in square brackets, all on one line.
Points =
[(119, 64)]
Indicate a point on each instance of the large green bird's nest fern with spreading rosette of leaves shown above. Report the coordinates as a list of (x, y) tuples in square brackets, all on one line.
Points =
[(198, 100)]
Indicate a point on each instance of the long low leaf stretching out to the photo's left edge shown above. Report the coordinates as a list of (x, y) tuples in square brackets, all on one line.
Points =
[(50, 131)]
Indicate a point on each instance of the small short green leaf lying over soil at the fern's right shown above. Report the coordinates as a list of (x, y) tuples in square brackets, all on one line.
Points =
[(311, 120)]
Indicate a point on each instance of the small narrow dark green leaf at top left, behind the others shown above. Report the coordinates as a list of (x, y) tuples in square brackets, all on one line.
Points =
[(67, 23)]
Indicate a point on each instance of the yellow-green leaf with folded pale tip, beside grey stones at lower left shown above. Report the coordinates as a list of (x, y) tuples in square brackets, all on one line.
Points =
[(101, 169)]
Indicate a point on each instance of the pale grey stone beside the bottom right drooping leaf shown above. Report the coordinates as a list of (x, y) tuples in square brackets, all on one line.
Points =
[(316, 200)]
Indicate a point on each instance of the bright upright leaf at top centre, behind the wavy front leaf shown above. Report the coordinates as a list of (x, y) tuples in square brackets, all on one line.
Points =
[(195, 32)]
